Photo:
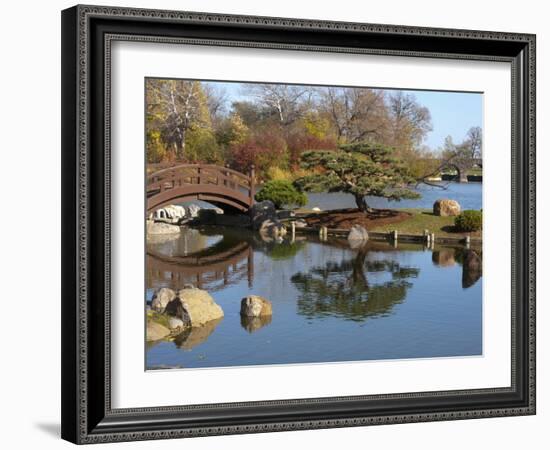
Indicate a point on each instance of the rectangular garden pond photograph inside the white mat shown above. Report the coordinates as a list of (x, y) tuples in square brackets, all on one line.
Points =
[(297, 224)]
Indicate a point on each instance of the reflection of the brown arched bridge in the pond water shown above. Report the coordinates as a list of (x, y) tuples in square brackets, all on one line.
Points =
[(202, 269)]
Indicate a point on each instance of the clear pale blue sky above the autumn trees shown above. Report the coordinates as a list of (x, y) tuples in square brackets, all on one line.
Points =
[(453, 113)]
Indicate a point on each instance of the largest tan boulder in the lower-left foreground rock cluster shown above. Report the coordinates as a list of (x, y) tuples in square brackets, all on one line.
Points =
[(194, 307)]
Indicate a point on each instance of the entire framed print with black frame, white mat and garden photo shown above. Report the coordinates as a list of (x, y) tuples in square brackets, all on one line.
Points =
[(281, 224)]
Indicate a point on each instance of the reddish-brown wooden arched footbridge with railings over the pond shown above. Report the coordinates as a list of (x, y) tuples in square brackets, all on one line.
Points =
[(221, 186)]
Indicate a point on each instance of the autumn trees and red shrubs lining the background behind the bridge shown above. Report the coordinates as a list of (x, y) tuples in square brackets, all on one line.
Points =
[(190, 121)]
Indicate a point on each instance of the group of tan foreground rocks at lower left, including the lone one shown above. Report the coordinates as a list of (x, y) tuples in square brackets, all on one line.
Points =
[(193, 312)]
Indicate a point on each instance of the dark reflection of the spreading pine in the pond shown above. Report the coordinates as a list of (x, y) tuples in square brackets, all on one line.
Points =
[(343, 289)]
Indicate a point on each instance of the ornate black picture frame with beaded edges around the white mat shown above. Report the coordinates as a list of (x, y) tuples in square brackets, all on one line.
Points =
[(87, 34)]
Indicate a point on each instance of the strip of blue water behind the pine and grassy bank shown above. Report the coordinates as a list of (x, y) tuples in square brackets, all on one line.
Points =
[(468, 195)]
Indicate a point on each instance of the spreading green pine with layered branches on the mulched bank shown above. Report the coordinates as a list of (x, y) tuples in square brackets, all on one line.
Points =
[(360, 169)]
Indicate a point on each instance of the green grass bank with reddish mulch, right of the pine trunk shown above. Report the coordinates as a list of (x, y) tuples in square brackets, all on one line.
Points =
[(425, 220)]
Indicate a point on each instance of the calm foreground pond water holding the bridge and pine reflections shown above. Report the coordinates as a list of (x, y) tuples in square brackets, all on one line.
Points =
[(330, 303)]
